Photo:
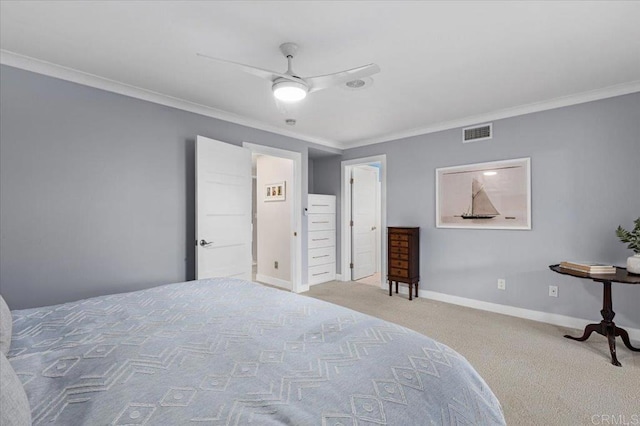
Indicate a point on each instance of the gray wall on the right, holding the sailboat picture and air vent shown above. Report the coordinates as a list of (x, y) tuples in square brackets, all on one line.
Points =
[(585, 163)]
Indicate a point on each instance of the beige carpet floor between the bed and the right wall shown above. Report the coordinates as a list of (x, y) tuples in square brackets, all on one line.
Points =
[(539, 377)]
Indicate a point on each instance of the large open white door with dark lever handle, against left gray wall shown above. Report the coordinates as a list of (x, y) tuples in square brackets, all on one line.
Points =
[(223, 210)]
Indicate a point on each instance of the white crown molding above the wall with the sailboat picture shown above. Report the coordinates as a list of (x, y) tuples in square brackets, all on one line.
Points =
[(579, 98)]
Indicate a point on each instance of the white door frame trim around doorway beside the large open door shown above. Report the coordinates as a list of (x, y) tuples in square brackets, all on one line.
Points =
[(295, 242)]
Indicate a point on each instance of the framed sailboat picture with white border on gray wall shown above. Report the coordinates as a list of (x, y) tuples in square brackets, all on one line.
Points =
[(494, 195)]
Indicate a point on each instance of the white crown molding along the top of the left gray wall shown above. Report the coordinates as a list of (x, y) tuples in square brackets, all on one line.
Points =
[(86, 79)]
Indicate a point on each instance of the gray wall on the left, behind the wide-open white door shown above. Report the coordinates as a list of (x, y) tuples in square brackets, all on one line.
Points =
[(96, 189)]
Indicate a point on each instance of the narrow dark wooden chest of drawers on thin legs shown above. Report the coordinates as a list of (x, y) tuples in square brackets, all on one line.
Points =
[(403, 248)]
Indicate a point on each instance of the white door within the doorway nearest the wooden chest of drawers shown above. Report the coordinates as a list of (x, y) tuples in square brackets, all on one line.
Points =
[(363, 214)]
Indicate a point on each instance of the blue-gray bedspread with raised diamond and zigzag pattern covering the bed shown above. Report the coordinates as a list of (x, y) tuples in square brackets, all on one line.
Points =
[(228, 352)]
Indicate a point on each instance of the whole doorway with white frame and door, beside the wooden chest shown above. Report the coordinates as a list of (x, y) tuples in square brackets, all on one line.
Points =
[(364, 220)]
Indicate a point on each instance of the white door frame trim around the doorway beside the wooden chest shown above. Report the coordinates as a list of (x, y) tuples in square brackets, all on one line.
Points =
[(345, 233)]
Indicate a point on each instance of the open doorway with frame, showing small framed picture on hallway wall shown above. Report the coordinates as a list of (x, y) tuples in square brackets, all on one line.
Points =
[(276, 249)]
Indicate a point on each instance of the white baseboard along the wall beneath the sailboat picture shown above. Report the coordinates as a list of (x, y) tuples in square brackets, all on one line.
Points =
[(546, 317)]
